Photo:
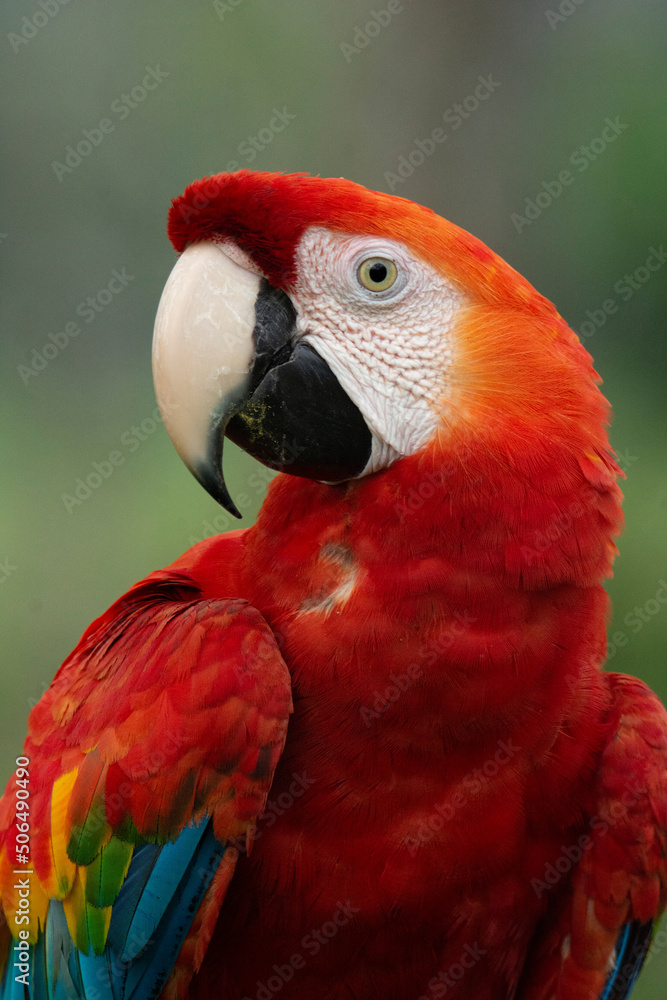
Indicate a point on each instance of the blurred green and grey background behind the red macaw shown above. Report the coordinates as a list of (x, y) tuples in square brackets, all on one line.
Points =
[(360, 100)]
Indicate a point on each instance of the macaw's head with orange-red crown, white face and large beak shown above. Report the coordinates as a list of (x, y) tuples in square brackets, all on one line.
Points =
[(332, 332)]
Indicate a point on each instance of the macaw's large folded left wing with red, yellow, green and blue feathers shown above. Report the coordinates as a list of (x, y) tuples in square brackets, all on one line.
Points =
[(151, 752)]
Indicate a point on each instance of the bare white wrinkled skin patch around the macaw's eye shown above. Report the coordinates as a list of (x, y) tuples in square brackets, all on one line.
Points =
[(391, 349)]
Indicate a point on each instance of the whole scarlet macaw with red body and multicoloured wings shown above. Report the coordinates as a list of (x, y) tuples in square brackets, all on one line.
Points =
[(365, 748)]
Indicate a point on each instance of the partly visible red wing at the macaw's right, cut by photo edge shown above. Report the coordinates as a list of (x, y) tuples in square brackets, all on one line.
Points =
[(595, 943)]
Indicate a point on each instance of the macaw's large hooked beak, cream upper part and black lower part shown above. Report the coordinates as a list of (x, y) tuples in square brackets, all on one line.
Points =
[(227, 360)]
